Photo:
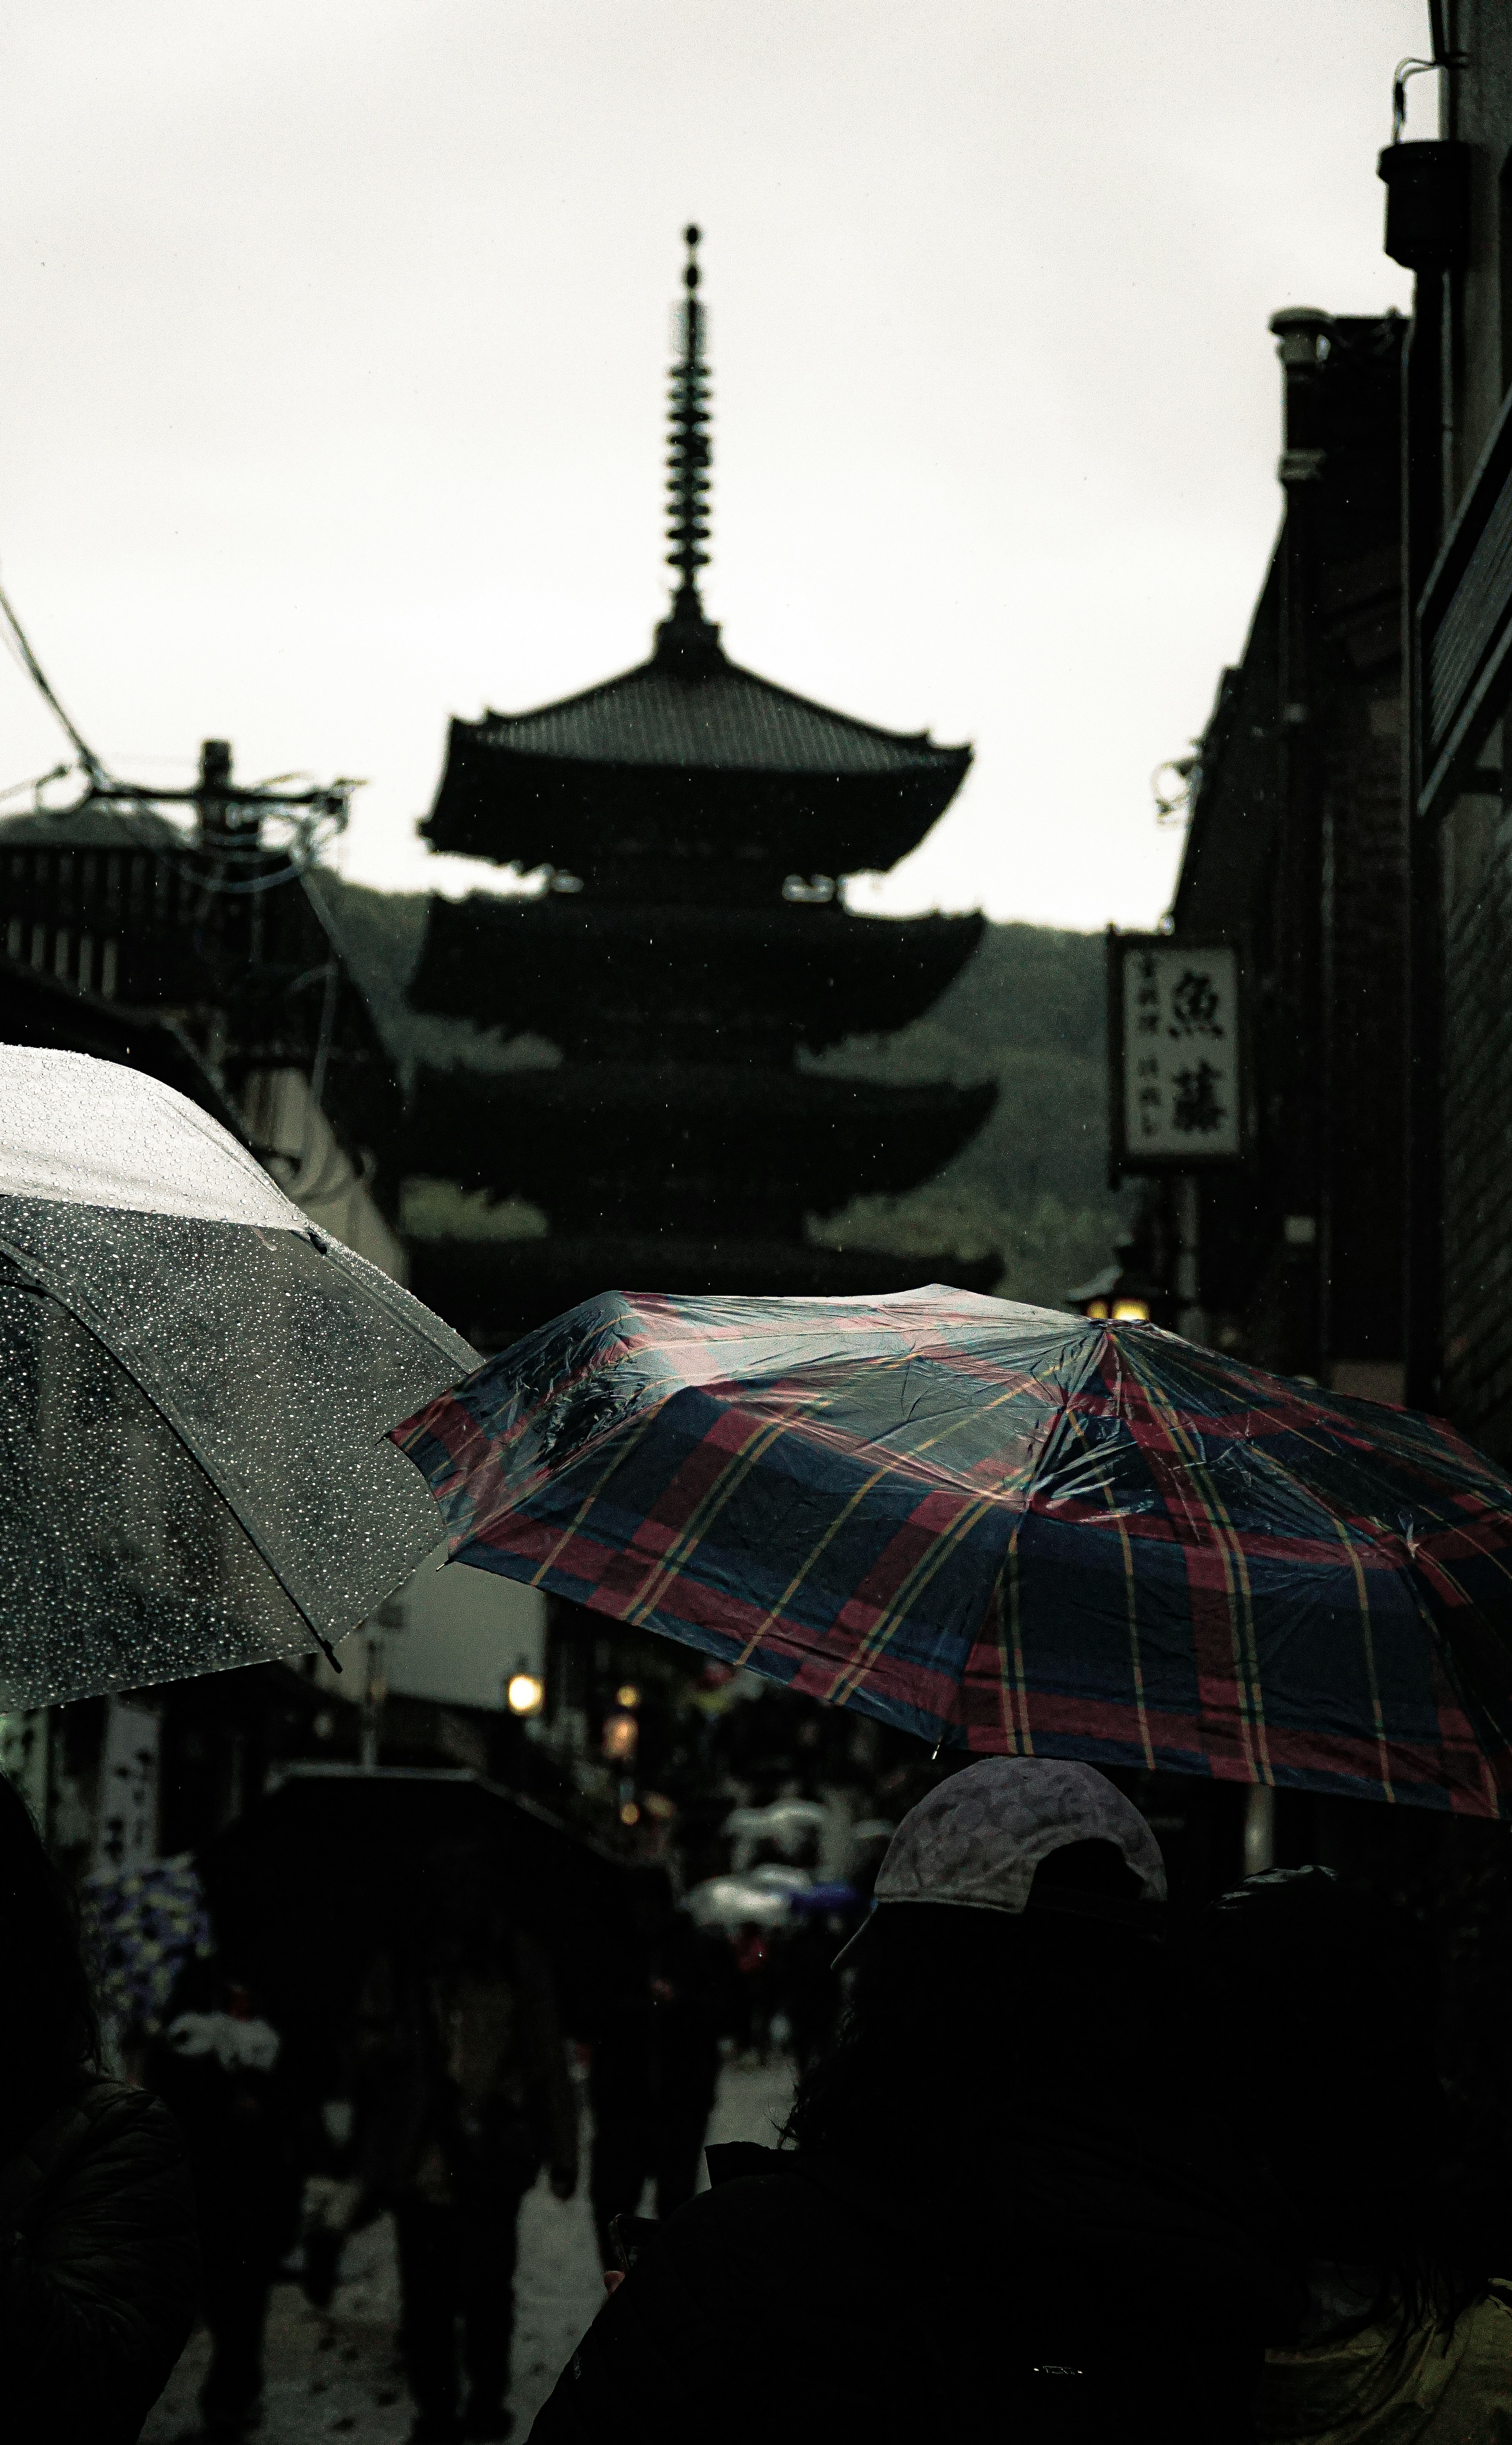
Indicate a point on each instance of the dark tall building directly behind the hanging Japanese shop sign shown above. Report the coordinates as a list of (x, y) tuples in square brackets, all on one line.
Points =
[(1296, 857)]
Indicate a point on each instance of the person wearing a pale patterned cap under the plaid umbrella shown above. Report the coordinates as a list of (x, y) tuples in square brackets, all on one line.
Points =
[(990, 2212)]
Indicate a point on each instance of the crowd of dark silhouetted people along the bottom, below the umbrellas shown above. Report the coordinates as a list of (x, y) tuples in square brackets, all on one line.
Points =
[(1061, 2160)]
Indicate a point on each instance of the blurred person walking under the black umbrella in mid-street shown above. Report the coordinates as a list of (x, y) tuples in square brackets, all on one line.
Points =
[(463, 2092)]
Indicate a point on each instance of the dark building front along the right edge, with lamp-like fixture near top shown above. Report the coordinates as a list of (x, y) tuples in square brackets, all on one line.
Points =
[(1452, 226)]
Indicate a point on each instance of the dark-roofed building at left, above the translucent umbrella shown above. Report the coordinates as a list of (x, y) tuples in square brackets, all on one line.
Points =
[(214, 962)]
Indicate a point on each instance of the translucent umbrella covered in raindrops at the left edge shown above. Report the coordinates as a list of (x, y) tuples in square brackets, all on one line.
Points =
[(194, 1390)]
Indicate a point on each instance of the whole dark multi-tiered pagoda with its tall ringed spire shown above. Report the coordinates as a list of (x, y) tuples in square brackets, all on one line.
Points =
[(685, 952)]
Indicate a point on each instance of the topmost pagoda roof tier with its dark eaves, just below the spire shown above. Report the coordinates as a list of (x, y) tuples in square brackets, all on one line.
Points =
[(690, 747)]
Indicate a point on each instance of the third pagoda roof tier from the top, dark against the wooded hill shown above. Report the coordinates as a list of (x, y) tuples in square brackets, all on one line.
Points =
[(605, 1141)]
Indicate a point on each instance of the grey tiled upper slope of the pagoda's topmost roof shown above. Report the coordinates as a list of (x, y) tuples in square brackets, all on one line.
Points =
[(717, 720)]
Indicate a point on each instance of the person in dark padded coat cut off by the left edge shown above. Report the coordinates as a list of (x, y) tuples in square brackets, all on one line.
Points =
[(99, 2256)]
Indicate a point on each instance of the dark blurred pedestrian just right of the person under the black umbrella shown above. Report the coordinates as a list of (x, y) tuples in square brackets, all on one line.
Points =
[(668, 1999)]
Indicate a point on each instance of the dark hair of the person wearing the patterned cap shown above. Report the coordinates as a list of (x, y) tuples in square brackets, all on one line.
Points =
[(956, 2016)]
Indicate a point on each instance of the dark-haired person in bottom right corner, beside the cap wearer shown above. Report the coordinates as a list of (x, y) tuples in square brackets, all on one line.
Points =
[(1310, 2009)]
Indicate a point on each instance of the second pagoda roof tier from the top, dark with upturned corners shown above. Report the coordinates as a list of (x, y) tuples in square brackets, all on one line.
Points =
[(570, 967)]
